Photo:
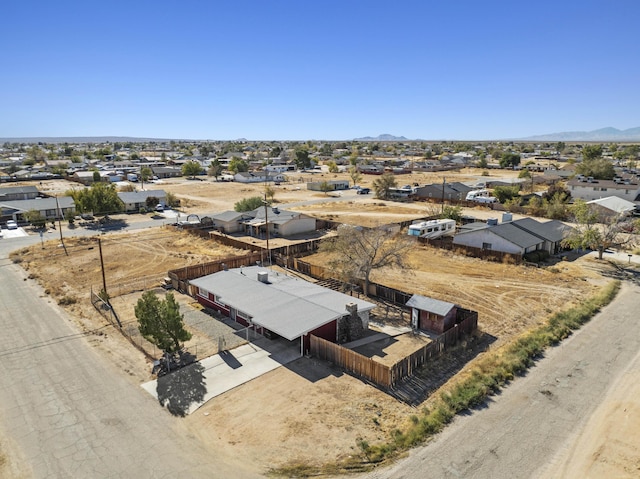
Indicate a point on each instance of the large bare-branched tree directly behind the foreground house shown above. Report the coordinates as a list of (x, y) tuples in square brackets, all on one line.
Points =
[(357, 251)]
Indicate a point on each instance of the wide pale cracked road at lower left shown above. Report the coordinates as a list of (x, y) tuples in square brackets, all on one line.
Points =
[(68, 413)]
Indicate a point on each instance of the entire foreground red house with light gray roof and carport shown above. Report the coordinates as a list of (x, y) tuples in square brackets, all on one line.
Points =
[(275, 304)]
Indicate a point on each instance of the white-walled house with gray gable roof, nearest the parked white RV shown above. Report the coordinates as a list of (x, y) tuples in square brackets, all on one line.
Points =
[(505, 238)]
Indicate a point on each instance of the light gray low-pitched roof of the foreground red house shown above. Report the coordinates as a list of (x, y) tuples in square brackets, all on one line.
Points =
[(288, 306)]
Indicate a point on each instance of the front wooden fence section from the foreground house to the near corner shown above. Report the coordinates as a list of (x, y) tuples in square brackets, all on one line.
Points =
[(351, 361)]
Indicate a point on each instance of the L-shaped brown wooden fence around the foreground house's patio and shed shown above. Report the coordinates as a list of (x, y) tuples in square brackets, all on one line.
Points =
[(385, 376)]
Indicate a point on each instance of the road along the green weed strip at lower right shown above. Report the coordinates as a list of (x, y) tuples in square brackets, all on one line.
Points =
[(536, 417)]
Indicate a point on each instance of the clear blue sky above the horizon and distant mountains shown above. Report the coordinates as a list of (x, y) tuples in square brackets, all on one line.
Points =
[(298, 70)]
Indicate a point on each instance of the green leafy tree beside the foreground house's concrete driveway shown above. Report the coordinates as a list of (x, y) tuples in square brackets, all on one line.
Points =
[(160, 321)]
